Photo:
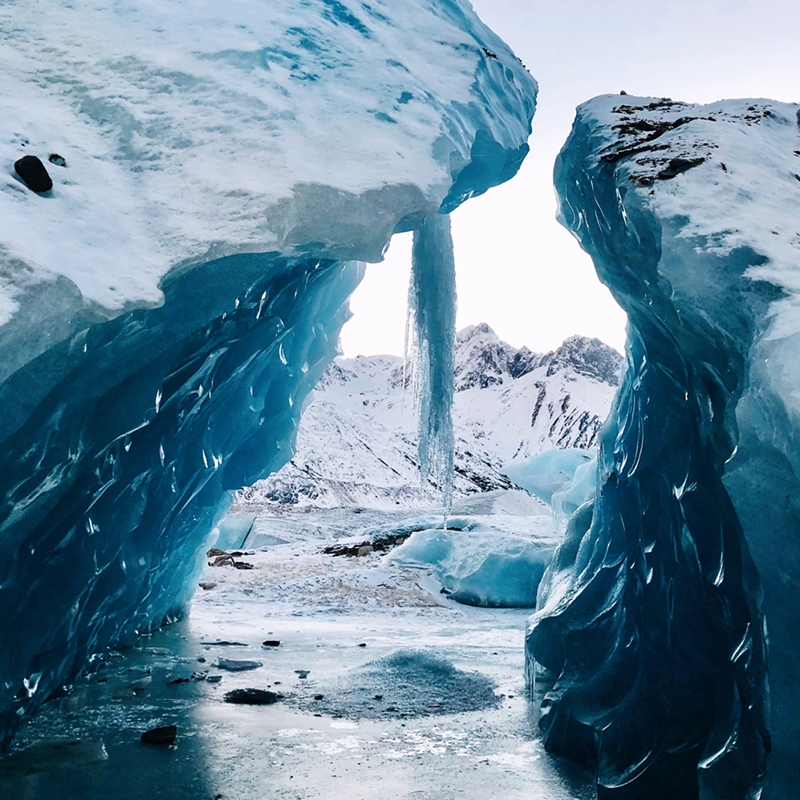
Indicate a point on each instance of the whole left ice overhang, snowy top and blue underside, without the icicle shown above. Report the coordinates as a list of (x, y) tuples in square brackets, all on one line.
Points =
[(218, 174)]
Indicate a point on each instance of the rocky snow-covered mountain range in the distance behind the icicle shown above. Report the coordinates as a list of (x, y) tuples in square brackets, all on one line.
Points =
[(357, 440)]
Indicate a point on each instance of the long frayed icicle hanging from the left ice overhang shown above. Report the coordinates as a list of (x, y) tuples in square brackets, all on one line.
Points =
[(432, 327)]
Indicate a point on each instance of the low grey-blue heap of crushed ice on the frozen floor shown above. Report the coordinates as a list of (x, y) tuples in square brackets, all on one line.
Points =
[(408, 683)]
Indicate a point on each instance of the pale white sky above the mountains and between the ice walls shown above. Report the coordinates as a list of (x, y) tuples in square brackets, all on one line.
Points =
[(517, 268)]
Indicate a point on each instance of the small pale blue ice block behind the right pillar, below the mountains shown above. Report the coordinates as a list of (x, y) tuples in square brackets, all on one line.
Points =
[(565, 479)]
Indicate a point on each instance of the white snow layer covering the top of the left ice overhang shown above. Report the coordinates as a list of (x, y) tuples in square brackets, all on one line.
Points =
[(192, 132)]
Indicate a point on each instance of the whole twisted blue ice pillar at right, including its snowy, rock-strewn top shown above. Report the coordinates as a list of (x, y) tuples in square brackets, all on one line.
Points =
[(664, 647)]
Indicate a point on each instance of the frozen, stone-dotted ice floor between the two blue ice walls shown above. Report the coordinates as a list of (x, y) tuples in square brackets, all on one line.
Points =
[(342, 620)]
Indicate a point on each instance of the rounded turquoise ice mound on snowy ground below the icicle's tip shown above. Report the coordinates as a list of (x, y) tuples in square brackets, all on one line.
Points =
[(480, 563)]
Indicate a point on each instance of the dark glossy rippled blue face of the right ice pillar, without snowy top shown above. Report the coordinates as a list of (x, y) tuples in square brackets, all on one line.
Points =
[(649, 645)]
